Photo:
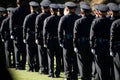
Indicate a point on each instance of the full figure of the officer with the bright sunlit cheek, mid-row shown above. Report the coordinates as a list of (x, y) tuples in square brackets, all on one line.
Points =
[(65, 35)]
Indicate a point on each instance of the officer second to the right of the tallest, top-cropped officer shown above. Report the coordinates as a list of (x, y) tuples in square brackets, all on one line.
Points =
[(42, 52)]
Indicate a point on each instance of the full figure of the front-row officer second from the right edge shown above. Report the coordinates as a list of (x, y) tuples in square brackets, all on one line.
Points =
[(99, 40)]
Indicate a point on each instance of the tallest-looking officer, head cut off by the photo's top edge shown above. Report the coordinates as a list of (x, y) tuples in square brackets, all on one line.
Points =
[(16, 31)]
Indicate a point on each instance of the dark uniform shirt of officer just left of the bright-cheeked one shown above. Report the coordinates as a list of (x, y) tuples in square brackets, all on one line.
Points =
[(50, 28)]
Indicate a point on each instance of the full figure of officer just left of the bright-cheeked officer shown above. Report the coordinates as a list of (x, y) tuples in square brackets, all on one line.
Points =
[(50, 38)]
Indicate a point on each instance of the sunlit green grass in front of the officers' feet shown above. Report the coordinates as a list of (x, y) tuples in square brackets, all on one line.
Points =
[(24, 75)]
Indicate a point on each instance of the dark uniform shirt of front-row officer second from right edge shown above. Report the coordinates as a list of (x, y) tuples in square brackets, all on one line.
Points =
[(100, 29)]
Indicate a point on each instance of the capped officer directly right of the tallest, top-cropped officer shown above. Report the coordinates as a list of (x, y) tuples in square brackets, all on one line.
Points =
[(29, 37)]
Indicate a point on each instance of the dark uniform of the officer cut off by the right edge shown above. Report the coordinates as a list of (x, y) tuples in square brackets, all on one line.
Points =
[(115, 47)]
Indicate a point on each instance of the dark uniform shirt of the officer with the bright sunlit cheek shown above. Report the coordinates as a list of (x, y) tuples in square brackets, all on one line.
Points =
[(65, 29)]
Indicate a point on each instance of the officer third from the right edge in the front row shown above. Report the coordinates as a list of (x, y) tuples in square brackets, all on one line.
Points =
[(81, 42)]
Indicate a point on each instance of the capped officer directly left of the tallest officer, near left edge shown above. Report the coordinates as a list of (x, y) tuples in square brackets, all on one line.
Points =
[(5, 33)]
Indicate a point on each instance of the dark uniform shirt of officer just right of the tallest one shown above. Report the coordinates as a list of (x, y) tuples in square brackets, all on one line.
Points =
[(29, 26)]
